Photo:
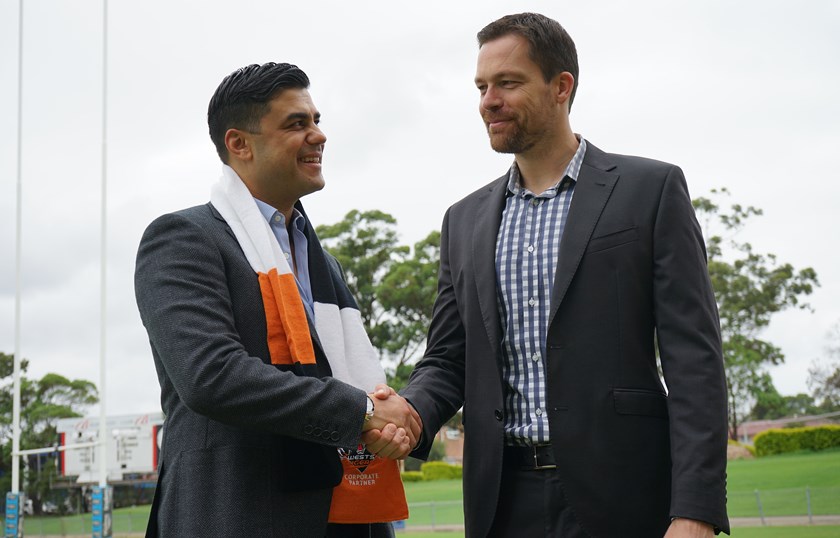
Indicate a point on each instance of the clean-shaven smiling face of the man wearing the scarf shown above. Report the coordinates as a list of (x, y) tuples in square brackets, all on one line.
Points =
[(285, 155)]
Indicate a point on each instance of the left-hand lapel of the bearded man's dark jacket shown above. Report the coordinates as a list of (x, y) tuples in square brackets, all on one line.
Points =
[(485, 232)]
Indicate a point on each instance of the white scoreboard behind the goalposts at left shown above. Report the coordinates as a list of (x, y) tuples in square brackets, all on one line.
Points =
[(133, 445)]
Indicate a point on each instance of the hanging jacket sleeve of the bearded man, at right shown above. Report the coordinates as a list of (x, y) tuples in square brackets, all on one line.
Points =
[(688, 335)]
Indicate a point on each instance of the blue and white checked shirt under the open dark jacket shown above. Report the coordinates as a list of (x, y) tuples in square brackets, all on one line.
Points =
[(526, 258)]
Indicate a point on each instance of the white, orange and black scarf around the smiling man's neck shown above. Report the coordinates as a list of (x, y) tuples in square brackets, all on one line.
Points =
[(370, 489)]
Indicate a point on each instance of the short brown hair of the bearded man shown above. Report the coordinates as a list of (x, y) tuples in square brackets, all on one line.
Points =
[(551, 47)]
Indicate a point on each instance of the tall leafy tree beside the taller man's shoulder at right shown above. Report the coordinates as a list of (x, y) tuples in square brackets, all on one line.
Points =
[(749, 288)]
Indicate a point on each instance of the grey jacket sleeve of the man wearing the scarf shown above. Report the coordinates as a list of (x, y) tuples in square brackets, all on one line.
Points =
[(184, 297)]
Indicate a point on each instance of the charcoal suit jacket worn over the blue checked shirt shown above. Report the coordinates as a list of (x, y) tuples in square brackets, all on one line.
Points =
[(632, 267)]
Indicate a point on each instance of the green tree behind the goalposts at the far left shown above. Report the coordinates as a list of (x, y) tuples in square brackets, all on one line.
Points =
[(43, 402)]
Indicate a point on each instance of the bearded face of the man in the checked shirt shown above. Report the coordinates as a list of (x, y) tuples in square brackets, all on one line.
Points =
[(520, 109)]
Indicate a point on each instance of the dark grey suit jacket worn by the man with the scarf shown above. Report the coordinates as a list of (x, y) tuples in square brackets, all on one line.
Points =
[(248, 449)]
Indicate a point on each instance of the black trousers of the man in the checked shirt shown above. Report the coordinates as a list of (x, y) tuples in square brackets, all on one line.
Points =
[(531, 505)]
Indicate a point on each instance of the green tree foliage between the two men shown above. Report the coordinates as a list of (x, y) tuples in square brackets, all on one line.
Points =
[(394, 285)]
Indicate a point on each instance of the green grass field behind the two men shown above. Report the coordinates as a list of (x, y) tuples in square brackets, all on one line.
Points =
[(780, 480)]
